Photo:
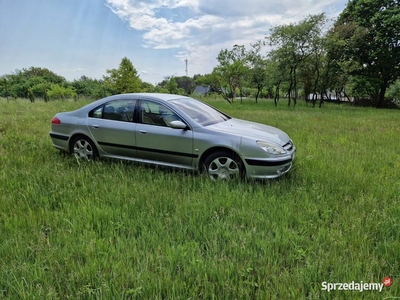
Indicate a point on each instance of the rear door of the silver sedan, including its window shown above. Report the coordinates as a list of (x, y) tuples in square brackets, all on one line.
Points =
[(112, 127)]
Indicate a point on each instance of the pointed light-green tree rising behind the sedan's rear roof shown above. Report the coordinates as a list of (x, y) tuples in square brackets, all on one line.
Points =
[(124, 79)]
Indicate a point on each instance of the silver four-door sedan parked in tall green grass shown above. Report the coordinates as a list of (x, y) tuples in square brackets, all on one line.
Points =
[(173, 131)]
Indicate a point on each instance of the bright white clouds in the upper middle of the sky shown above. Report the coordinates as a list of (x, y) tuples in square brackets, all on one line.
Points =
[(210, 25)]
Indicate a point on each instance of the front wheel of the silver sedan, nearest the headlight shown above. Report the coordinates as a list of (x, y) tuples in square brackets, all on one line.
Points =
[(223, 165)]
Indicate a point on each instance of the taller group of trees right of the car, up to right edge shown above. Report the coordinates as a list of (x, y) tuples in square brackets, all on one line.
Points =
[(357, 59)]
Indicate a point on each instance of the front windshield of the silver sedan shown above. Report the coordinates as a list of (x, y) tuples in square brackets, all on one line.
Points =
[(201, 113)]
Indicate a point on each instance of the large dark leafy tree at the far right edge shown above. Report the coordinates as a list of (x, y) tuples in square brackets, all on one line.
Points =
[(368, 31)]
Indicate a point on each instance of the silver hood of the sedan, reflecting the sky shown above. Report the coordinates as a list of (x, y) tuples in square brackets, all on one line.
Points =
[(253, 130)]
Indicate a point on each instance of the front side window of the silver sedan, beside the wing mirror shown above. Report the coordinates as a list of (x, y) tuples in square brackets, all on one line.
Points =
[(153, 113)]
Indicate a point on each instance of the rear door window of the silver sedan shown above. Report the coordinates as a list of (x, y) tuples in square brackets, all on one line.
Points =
[(119, 110)]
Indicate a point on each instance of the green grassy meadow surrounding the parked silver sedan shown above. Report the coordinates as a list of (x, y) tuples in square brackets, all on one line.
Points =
[(111, 230)]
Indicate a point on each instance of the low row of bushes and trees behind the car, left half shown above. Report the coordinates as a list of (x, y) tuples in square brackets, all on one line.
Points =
[(40, 83)]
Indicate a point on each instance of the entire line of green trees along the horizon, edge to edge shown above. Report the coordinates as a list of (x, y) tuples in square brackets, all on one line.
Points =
[(356, 59)]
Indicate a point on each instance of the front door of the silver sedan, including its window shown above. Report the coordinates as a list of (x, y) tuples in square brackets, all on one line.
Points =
[(158, 142)]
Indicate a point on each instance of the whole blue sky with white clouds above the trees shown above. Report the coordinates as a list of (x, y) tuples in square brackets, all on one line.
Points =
[(86, 37)]
